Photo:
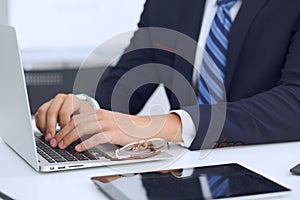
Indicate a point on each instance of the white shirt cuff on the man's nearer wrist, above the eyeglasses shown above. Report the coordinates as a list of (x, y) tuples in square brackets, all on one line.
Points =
[(188, 127)]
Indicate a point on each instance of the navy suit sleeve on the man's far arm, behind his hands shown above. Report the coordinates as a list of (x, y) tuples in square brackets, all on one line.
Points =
[(127, 86)]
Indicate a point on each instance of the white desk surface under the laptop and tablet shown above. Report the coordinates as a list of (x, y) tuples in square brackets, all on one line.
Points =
[(20, 181)]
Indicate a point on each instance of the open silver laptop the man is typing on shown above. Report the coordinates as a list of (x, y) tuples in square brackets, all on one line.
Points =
[(17, 130)]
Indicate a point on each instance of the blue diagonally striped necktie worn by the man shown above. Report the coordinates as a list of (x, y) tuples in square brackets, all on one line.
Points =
[(211, 82)]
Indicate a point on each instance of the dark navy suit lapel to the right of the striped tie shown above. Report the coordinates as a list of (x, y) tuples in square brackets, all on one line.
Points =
[(238, 33)]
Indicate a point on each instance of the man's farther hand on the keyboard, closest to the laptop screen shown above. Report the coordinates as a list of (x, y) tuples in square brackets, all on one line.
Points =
[(59, 110)]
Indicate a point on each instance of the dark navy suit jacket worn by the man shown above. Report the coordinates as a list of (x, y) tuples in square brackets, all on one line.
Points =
[(262, 78)]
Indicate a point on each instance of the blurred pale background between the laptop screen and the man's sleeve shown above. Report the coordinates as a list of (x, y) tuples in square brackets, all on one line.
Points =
[(56, 36)]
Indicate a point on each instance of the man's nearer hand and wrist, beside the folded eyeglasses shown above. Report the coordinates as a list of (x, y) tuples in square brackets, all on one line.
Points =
[(104, 126)]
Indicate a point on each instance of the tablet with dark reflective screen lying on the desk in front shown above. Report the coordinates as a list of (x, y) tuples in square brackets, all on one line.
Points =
[(209, 182)]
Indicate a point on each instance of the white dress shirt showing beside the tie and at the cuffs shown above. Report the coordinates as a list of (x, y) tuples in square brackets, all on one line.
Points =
[(188, 126)]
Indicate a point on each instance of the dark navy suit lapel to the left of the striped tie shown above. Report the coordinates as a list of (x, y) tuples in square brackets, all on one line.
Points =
[(190, 25)]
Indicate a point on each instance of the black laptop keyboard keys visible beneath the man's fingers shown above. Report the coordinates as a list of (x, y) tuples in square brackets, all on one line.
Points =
[(53, 155)]
